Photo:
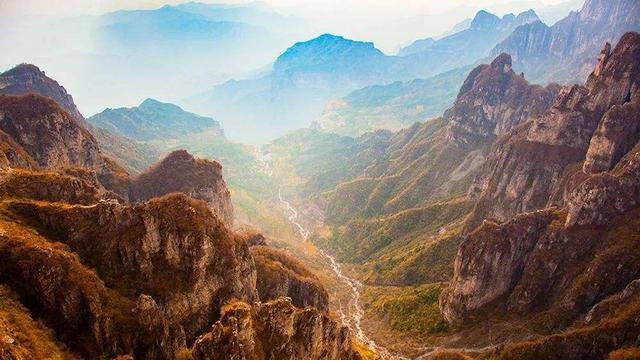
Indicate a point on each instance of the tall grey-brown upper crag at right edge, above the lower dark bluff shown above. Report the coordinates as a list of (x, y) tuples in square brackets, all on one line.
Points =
[(527, 167)]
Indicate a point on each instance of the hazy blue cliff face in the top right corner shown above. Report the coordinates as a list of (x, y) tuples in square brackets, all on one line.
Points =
[(564, 51)]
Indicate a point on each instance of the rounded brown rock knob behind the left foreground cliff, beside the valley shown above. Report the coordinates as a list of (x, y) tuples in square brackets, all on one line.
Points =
[(181, 172)]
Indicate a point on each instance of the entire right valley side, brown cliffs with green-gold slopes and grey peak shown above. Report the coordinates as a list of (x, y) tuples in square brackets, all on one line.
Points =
[(517, 203)]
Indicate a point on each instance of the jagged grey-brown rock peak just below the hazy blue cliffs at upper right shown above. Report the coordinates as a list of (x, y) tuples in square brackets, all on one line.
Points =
[(493, 100)]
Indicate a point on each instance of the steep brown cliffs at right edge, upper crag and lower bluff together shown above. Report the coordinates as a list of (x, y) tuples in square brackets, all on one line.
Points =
[(562, 260)]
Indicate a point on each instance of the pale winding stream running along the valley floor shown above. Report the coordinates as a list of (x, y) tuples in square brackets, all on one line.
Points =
[(355, 311)]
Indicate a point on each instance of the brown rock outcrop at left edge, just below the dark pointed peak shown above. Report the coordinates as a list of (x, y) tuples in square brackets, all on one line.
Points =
[(47, 133)]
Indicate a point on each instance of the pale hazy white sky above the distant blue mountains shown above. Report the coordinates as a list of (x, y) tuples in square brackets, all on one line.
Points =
[(389, 23)]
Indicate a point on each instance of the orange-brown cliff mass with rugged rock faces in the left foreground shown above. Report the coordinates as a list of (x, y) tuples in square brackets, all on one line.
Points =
[(162, 271)]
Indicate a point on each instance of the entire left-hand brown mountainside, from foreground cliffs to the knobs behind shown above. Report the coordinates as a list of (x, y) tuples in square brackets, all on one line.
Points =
[(97, 263)]
